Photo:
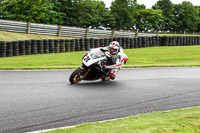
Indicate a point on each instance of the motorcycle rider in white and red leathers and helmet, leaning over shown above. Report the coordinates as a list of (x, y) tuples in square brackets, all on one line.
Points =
[(117, 57)]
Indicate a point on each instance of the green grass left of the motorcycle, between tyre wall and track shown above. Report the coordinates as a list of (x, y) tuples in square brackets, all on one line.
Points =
[(43, 61)]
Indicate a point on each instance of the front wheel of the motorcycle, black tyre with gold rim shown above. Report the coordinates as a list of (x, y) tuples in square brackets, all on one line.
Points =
[(75, 76)]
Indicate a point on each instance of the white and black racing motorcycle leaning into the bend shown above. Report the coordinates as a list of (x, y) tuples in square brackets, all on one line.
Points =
[(92, 67)]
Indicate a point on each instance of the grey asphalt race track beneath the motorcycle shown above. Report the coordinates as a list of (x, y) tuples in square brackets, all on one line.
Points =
[(44, 99)]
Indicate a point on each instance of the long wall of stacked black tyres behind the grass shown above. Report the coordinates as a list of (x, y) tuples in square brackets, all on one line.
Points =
[(27, 47)]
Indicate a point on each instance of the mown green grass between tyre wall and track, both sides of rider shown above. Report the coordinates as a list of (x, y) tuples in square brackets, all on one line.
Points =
[(174, 56)]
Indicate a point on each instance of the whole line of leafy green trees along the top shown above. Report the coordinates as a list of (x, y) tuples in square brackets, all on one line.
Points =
[(121, 15)]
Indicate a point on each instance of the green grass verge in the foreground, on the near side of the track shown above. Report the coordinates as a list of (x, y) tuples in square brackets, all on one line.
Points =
[(175, 121)]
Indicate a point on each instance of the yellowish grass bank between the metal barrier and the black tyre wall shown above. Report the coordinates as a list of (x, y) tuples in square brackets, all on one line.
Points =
[(11, 36)]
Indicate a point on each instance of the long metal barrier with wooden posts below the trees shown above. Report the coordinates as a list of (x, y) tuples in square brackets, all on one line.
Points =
[(64, 31)]
